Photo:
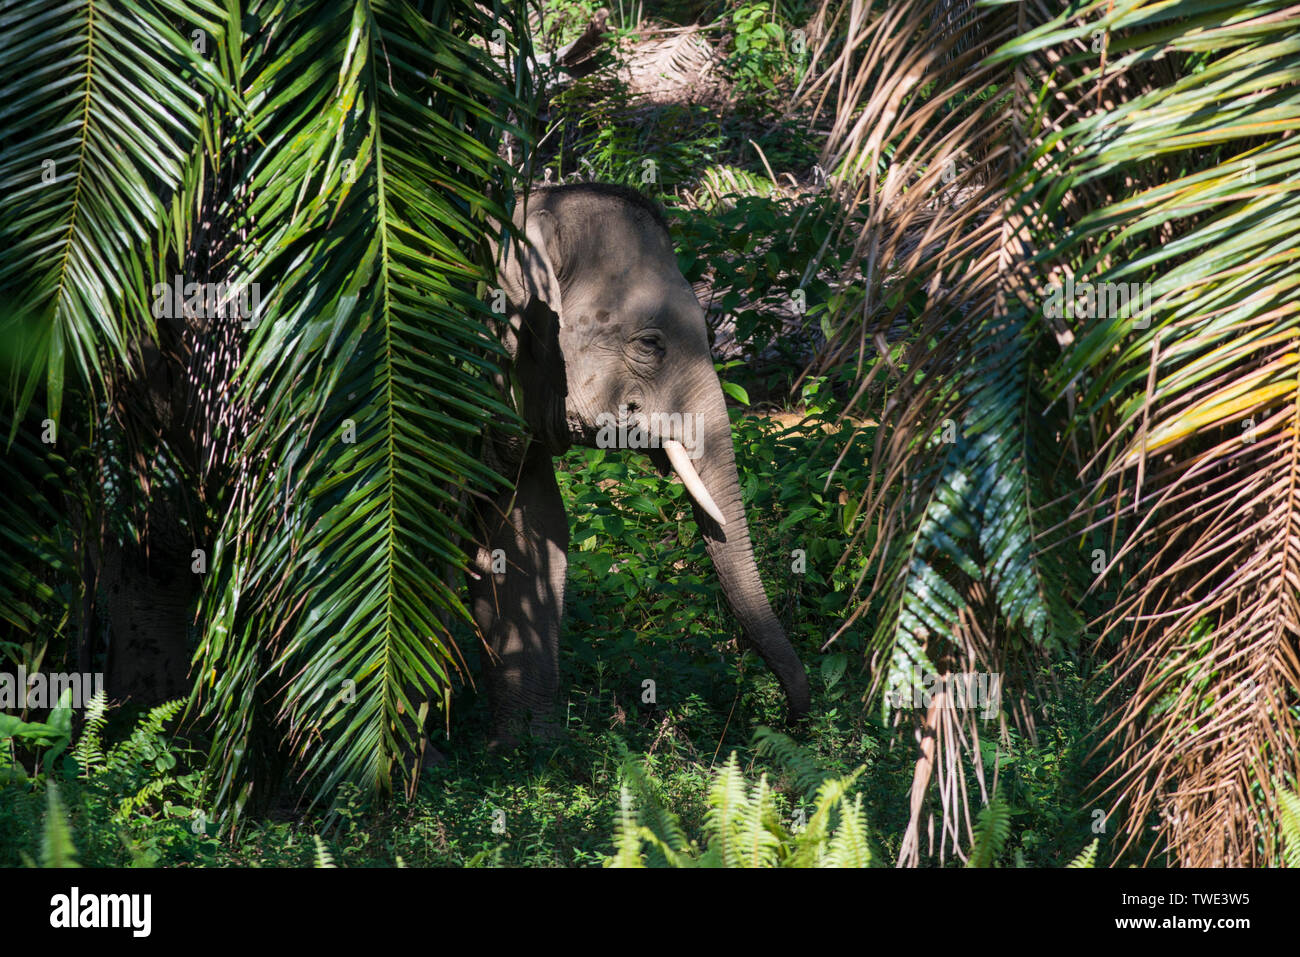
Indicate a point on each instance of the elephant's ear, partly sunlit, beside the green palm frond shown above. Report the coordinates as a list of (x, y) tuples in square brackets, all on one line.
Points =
[(530, 278)]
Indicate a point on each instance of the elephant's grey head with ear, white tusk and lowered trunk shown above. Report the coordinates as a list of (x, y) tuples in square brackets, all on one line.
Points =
[(610, 349)]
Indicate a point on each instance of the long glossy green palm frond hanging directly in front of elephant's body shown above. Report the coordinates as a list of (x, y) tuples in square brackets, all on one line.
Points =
[(371, 376)]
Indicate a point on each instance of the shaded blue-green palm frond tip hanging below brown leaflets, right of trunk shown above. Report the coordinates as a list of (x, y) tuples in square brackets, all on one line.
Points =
[(982, 531)]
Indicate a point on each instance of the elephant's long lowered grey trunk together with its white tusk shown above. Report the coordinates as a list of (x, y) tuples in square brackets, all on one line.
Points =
[(730, 547)]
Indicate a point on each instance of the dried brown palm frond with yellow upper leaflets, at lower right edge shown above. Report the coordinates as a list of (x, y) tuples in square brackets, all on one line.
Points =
[(1207, 674)]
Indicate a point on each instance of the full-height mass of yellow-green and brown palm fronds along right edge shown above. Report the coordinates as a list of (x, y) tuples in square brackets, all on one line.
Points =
[(1195, 408)]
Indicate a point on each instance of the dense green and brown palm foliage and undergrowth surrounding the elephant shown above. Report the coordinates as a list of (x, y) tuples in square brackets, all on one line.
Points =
[(950, 467)]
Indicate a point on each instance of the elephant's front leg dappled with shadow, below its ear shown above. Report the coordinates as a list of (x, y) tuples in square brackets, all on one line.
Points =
[(519, 600)]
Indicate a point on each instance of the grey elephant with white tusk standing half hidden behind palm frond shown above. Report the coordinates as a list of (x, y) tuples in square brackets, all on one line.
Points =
[(608, 348)]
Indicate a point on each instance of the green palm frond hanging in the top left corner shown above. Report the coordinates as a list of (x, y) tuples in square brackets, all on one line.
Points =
[(103, 106)]
